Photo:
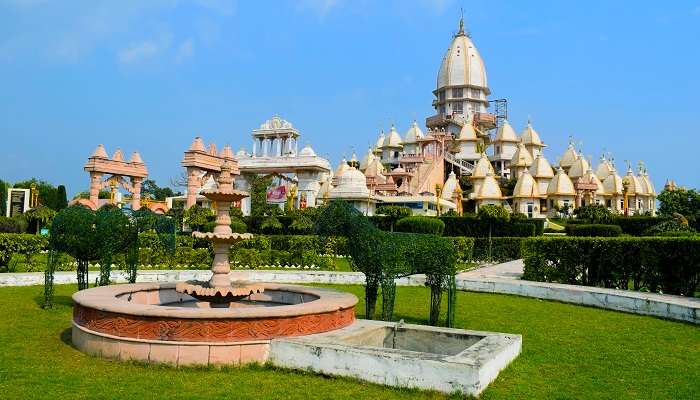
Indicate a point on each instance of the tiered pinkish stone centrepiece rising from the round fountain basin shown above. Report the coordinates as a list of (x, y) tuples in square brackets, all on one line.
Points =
[(224, 286)]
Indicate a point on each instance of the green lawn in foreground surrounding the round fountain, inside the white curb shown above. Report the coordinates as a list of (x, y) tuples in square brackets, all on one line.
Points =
[(568, 352)]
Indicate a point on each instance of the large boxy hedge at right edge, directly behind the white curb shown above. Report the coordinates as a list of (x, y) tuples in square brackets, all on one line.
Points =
[(669, 265)]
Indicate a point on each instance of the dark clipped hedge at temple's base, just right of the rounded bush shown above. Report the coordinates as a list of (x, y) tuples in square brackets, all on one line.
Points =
[(473, 227)]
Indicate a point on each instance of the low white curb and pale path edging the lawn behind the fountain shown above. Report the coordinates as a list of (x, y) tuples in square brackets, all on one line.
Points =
[(501, 278)]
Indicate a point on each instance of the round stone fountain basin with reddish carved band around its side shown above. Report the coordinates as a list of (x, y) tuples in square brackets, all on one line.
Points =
[(152, 322)]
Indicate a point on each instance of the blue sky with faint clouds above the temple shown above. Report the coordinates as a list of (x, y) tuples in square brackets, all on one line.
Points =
[(150, 75)]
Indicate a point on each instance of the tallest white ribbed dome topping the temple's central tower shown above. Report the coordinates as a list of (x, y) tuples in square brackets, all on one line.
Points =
[(462, 65)]
